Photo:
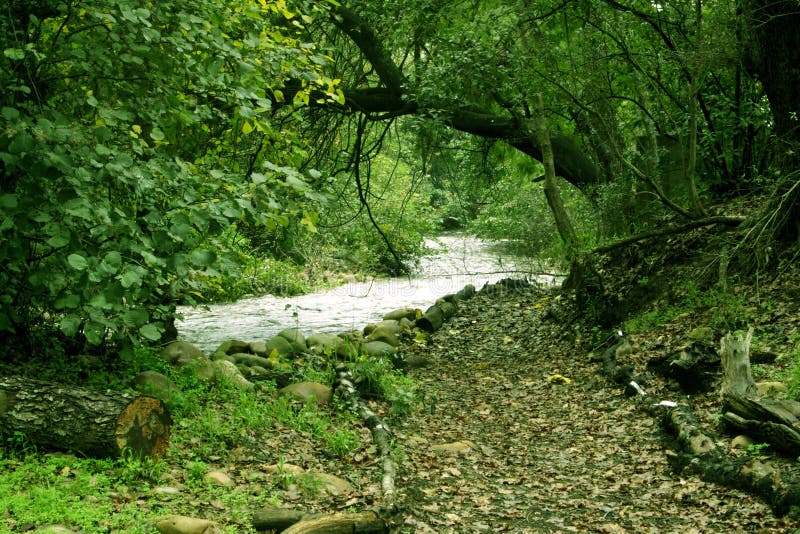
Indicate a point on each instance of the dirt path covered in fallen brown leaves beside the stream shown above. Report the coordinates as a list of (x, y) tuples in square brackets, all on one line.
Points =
[(528, 454)]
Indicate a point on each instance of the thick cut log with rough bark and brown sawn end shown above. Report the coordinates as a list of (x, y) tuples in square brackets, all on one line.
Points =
[(64, 417)]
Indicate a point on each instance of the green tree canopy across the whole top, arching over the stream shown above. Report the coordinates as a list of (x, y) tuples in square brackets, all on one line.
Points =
[(134, 134)]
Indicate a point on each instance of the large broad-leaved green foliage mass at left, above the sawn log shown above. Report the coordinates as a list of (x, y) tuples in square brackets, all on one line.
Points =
[(130, 139)]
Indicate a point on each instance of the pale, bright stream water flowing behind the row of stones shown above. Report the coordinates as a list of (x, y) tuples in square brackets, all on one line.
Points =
[(456, 262)]
